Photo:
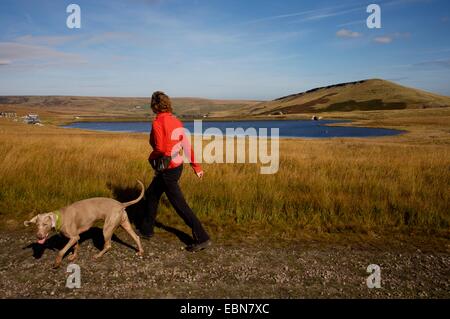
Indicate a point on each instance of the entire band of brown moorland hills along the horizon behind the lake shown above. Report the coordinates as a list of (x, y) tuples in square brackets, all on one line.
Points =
[(366, 95)]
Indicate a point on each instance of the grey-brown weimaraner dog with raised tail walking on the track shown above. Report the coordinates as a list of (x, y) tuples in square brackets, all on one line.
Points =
[(77, 218)]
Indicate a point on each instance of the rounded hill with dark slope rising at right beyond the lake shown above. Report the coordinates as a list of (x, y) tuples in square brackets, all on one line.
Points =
[(371, 94)]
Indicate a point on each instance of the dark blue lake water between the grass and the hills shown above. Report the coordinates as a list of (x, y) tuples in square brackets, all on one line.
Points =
[(288, 128)]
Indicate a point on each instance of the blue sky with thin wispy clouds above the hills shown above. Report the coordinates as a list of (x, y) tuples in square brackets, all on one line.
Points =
[(226, 49)]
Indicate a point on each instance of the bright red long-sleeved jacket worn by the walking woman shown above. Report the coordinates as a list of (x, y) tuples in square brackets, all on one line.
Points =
[(167, 138)]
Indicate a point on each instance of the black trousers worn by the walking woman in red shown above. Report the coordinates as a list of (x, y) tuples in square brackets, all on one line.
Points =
[(167, 182)]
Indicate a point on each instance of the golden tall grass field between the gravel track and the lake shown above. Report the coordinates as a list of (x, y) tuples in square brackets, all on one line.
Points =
[(364, 186)]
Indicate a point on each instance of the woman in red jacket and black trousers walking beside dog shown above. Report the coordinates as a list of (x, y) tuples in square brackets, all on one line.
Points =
[(167, 138)]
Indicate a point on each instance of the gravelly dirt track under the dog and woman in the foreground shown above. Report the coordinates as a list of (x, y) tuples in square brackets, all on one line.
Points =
[(251, 269)]
